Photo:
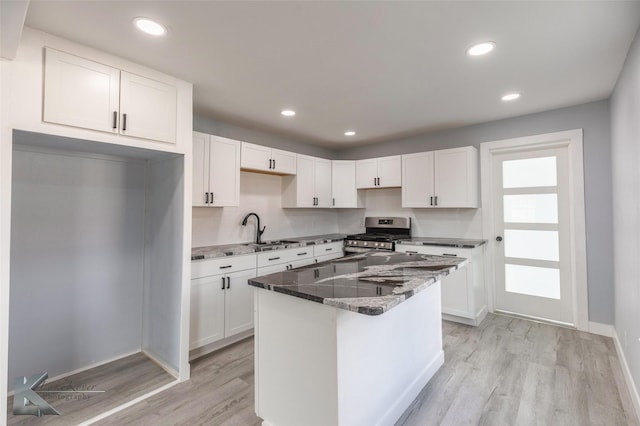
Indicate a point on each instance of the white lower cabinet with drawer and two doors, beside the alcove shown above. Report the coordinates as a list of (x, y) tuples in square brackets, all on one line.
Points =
[(221, 298)]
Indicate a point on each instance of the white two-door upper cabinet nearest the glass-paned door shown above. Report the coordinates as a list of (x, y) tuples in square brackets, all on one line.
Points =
[(442, 179)]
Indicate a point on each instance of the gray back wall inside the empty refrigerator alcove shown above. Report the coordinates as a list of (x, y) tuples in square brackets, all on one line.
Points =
[(77, 248)]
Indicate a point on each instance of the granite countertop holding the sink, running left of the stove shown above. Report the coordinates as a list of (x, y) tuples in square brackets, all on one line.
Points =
[(210, 252)]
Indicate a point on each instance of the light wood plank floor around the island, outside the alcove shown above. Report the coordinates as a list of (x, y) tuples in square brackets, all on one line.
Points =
[(508, 371)]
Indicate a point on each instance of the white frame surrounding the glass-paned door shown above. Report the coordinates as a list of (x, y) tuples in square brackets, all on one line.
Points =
[(572, 139)]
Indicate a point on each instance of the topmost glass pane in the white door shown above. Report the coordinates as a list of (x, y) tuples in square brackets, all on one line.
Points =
[(530, 172)]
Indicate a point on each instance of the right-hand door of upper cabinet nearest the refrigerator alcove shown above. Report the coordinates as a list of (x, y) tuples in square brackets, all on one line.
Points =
[(224, 172)]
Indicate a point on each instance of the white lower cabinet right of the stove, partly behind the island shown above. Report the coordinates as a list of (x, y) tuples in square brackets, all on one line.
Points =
[(464, 298)]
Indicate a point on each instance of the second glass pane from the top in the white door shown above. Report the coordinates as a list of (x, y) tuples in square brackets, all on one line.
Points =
[(531, 208)]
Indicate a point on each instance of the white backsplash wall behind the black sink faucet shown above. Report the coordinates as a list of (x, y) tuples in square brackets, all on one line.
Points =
[(259, 193)]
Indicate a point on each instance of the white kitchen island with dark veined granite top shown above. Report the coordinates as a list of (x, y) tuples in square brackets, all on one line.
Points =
[(350, 341)]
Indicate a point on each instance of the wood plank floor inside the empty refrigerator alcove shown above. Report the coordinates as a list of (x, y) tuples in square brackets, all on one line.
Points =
[(121, 381)]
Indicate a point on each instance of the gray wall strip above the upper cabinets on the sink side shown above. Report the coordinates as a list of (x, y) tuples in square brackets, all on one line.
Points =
[(220, 128)]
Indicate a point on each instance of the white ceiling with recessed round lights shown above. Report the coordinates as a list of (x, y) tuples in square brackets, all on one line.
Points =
[(386, 69)]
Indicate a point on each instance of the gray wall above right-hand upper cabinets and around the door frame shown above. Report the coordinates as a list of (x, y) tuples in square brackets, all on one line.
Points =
[(594, 119)]
